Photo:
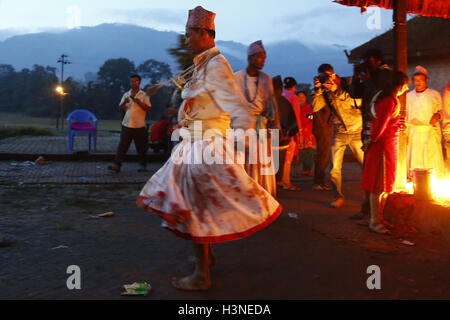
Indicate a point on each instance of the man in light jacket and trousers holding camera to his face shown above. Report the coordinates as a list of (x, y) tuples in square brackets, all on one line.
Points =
[(346, 118)]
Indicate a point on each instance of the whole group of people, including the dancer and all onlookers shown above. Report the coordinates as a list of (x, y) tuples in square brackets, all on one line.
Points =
[(211, 203)]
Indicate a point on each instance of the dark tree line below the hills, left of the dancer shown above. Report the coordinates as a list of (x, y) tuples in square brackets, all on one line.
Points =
[(32, 91)]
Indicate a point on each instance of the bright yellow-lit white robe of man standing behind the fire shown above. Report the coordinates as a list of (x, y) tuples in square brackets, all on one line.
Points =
[(424, 140)]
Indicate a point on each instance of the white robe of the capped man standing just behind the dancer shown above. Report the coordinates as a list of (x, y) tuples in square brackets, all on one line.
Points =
[(259, 94)]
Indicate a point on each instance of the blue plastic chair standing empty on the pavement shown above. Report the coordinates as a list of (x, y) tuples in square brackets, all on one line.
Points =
[(80, 123)]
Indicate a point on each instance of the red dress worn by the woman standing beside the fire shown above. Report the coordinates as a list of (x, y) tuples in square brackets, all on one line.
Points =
[(380, 163)]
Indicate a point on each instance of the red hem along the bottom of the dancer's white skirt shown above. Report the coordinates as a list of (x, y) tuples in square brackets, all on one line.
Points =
[(224, 238)]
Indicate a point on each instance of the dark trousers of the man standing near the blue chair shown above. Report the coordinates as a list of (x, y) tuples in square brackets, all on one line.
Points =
[(140, 138)]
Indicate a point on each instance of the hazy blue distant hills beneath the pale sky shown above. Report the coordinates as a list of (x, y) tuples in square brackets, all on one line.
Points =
[(89, 47)]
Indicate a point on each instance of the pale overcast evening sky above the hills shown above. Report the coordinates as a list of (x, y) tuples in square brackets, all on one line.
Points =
[(311, 22)]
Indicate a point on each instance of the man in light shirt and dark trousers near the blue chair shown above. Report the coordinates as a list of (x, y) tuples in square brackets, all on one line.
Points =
[(136, 104)]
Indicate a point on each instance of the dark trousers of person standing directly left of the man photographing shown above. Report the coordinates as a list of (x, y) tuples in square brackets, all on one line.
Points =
[(324, 139)]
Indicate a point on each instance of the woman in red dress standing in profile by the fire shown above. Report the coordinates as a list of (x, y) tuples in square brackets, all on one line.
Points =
[(381, 151)]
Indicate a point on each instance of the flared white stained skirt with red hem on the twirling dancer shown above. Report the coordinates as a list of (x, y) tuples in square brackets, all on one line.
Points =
[(205, 201)]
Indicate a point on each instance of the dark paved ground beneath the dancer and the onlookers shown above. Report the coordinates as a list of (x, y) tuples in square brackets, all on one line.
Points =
[(310, 252)]
